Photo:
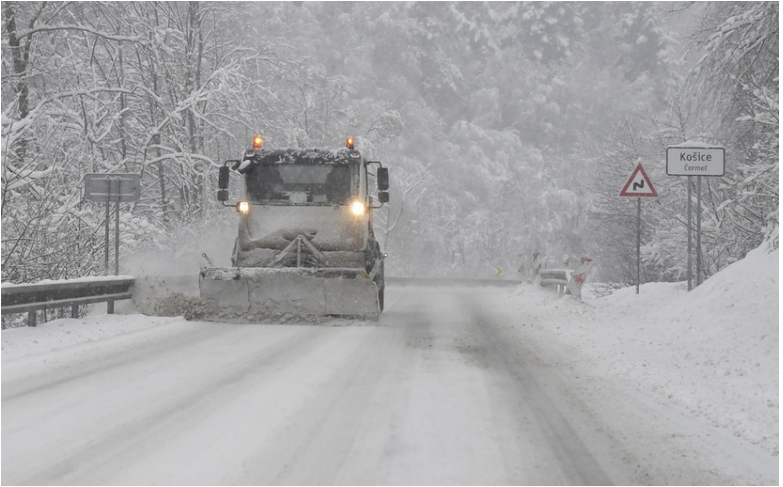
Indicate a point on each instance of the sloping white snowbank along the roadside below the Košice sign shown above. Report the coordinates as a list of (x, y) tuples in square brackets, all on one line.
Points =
[(713, 351)]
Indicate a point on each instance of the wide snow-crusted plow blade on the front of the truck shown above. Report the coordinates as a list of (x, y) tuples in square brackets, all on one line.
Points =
[(305, 292)]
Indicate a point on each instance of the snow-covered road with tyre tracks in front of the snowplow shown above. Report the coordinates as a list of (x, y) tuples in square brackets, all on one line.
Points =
[(441, 391)]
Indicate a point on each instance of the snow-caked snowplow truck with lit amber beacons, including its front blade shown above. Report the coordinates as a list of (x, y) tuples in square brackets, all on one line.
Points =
[(306, 245)]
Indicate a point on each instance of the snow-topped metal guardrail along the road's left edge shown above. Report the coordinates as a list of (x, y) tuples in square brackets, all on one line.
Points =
[(29, 298)]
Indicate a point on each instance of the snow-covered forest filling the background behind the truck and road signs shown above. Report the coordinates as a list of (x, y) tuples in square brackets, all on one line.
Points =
[(508, 127)]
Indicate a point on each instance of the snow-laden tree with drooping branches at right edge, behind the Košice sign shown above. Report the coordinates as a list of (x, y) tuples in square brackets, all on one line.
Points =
[(738, 80)]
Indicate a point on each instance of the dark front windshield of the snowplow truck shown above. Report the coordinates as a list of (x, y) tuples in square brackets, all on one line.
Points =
[(300, 183)]
